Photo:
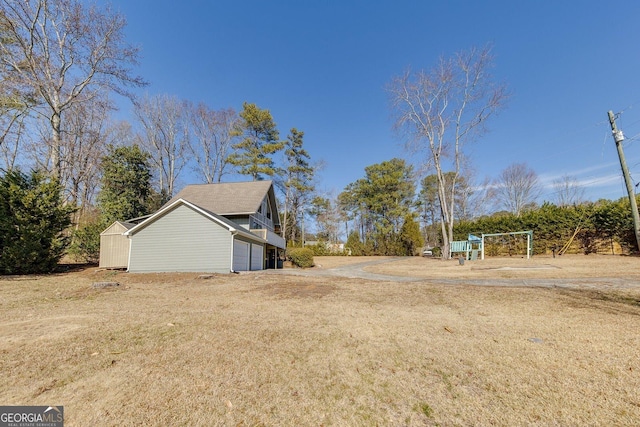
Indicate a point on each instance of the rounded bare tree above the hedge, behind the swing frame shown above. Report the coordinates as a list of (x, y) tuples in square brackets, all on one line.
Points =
[(517, 188)]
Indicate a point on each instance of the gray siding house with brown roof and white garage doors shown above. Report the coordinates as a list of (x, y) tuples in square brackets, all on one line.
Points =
[(217, 228)]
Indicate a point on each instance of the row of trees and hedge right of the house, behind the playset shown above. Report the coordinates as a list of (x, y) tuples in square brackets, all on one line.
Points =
[(386, 213)]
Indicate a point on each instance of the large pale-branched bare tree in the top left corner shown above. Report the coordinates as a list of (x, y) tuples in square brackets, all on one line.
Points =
[(65, 52)]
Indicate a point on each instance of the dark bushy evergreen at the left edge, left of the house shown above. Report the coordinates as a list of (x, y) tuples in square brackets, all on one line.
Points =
[(33, 218)]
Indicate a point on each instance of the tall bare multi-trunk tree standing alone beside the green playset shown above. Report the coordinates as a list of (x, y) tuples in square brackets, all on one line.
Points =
[(441, 110)]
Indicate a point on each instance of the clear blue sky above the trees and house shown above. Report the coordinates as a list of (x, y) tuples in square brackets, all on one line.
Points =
[(322, 67)]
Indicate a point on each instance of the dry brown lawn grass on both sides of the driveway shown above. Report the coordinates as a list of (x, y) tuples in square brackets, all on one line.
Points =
[(259, 349)]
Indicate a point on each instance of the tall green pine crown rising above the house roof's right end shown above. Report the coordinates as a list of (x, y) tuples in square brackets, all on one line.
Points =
[(259, 143)]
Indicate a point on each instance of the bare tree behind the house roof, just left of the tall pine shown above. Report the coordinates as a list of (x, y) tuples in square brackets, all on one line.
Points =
[(214, 132)]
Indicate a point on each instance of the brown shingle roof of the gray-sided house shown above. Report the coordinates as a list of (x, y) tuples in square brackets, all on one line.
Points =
[(229, 198)]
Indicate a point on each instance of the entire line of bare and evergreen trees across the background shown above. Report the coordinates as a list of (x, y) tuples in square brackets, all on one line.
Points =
[(62, 63)]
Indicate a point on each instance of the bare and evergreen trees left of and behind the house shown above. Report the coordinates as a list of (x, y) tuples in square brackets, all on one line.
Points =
[(61, 65)]
